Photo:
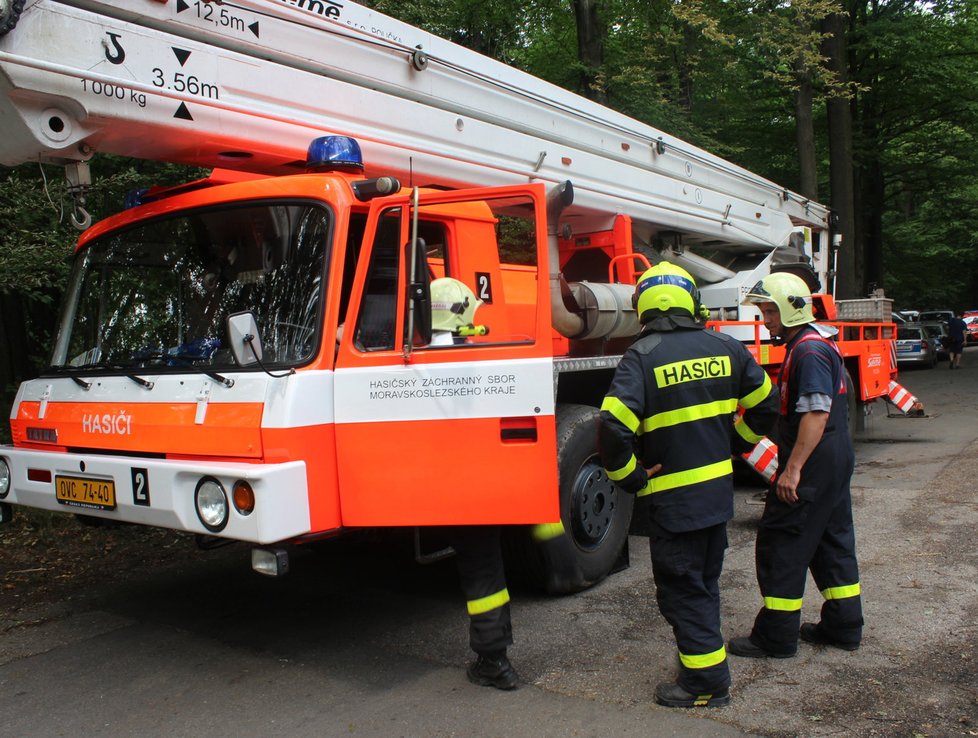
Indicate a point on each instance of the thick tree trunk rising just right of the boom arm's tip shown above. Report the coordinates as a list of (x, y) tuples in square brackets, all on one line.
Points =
[(839, 113)]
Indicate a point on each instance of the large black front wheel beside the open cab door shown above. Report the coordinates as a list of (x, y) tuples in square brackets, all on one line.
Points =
[(596, 515)]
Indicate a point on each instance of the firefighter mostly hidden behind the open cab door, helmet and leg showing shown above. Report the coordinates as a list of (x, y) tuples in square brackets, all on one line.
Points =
[(478, 548)]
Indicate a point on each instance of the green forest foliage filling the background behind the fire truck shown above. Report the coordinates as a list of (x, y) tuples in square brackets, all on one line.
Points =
[(718, 73)]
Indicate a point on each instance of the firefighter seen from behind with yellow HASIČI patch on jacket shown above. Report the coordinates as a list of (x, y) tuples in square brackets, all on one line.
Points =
[(669, 426)]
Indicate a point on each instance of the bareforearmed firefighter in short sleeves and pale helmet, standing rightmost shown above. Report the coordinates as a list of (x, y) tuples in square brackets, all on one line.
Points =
[(807, 520)]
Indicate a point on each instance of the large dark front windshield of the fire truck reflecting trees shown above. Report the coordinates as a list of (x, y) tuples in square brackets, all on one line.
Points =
[(158, 294)]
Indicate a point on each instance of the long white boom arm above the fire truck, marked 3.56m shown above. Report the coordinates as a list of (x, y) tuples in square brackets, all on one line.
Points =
[(248, 84)]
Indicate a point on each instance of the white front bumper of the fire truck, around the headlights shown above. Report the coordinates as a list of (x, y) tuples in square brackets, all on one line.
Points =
[(281, 495)]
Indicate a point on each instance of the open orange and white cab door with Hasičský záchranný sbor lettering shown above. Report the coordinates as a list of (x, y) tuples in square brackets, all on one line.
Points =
[(462, 432)]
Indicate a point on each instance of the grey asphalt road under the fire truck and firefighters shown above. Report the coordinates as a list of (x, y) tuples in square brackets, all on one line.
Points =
[(372, 645)]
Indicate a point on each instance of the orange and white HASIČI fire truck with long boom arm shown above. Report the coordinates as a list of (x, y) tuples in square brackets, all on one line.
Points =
[(248, 356)]
